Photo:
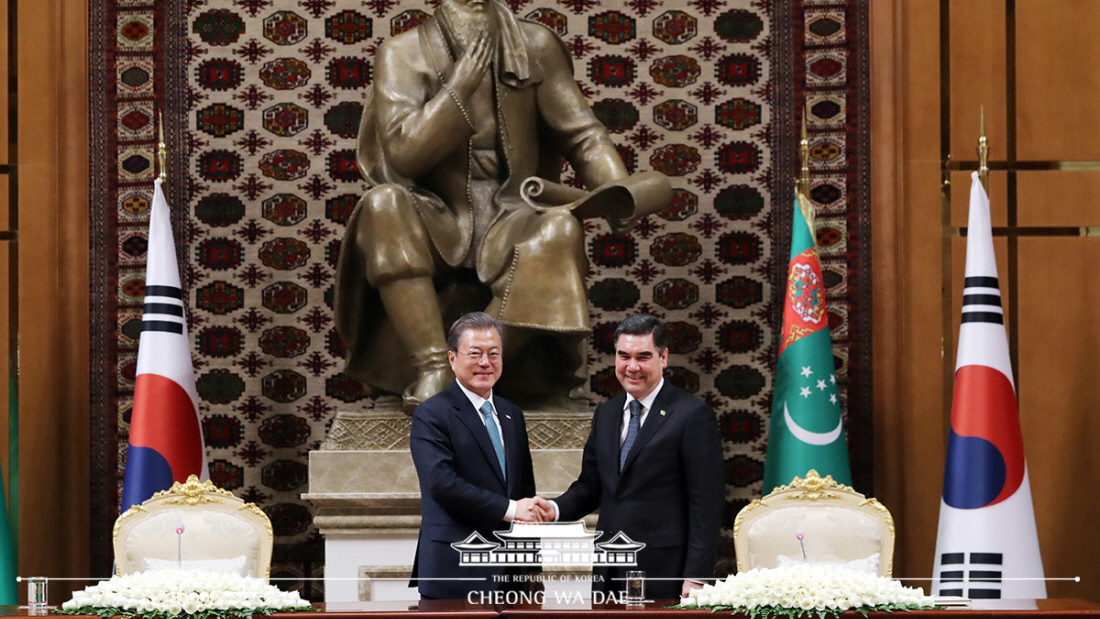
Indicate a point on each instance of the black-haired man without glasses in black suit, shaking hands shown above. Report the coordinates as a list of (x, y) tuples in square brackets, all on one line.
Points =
[(653, 466)]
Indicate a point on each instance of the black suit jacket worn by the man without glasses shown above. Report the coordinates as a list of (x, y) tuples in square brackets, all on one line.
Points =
[(670, 495)]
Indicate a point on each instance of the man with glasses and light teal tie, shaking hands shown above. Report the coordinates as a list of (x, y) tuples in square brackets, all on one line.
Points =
[(475, 466)]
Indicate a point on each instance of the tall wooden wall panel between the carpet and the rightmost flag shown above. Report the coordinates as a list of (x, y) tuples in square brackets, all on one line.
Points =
[(906, 241)]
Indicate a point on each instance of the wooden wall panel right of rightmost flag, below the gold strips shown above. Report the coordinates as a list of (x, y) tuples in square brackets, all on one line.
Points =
[(1060, 357)]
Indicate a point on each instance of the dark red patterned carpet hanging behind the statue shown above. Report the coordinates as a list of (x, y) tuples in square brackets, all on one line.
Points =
[(261, 103)]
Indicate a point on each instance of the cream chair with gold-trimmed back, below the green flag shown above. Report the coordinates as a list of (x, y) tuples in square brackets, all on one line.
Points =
[(837, 524)]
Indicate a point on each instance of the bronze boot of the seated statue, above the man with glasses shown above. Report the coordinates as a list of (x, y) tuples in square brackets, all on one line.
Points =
[(413, 309)]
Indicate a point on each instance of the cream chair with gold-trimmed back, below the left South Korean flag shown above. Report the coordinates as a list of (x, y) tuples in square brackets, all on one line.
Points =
[(194, 526)]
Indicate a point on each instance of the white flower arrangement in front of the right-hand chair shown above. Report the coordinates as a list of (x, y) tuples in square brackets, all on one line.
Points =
[(805, 591)]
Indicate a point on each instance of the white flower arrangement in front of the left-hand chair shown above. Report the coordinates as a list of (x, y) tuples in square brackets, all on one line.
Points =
[(173, 594)]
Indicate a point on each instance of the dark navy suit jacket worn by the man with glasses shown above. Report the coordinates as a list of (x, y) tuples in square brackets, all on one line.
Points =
[(463, 490)]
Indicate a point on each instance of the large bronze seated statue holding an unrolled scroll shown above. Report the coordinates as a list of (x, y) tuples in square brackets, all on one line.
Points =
[(463, 139)]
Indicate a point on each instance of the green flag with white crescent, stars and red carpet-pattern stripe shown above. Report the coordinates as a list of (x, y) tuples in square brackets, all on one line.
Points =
[(807, 430)]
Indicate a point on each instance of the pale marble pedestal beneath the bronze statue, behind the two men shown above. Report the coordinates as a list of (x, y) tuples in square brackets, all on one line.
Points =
[(367, 498)]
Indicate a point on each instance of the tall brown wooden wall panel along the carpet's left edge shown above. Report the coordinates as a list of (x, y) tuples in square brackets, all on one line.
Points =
[(53, 290)]
